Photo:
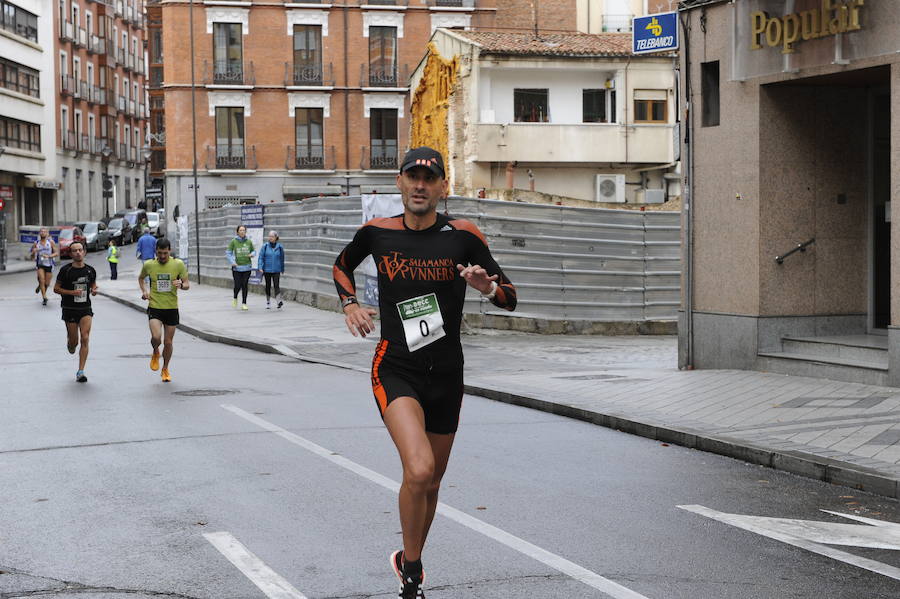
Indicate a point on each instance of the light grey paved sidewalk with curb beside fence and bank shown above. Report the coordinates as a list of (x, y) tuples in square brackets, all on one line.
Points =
[(843, 433)]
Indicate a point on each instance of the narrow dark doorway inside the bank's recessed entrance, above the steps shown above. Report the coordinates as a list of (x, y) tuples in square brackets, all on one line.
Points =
[(881, 206)]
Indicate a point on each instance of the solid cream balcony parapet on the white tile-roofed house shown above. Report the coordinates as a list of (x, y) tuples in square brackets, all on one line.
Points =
[(574, 143)]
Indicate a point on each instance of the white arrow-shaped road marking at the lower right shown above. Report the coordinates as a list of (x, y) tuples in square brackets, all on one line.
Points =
[(798, 533)]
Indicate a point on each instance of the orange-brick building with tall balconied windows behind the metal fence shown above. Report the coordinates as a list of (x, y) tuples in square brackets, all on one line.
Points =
[(293, 100)]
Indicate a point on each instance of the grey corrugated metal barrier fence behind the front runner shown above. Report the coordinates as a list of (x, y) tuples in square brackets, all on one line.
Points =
[(570, 264)]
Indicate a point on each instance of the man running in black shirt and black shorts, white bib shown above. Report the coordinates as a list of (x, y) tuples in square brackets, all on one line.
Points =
[(76, 282)]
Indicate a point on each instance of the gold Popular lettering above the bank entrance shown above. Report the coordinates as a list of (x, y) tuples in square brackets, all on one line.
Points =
[(831, 18)]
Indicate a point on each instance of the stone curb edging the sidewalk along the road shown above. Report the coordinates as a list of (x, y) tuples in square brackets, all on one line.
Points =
[(793, 462)]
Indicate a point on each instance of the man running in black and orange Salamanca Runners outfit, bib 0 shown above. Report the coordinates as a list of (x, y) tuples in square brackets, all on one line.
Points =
[(424, 260)]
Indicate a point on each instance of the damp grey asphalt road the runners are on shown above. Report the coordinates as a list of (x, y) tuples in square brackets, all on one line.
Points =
[(125, 487)]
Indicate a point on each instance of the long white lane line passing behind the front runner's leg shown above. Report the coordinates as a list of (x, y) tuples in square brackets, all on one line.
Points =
[(552, 560)]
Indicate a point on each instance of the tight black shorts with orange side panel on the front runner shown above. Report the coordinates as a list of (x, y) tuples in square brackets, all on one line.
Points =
[(438, 390)]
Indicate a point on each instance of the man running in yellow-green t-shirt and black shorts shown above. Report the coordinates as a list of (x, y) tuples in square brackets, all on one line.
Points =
[(167, 276)]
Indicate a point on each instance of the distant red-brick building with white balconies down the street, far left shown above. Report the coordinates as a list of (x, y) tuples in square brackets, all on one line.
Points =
[(101, 107)]
